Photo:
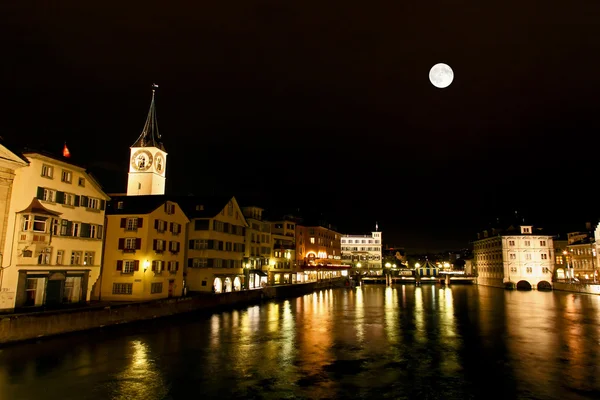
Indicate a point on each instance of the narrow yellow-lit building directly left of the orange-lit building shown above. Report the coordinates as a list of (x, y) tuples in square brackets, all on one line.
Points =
[(283, 267)]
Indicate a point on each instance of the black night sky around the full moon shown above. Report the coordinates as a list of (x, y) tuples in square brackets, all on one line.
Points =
[(325, 105)]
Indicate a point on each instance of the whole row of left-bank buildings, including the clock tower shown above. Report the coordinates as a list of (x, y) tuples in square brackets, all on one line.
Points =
[(64, 240)]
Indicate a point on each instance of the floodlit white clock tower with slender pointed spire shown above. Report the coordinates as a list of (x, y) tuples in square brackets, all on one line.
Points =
[(148, 159)]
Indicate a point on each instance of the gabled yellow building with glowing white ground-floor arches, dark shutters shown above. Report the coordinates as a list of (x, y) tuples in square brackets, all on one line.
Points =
[(216, 245)]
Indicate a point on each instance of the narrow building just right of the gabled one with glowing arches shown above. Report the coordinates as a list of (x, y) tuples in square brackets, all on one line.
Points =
[(258, 247)]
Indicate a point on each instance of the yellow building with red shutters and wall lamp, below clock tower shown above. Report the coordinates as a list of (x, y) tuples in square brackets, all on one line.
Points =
[(144, 251)]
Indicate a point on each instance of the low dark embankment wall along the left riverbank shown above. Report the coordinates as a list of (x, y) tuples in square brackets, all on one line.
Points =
[(22, 327)]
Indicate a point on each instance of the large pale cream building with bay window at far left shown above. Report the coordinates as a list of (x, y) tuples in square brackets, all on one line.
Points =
[(53, 233)]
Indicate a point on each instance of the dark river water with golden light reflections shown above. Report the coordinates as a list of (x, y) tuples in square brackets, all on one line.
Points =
[(400, 342)]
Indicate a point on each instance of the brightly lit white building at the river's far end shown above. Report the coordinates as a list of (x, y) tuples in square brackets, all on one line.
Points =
[(363, 253)]
